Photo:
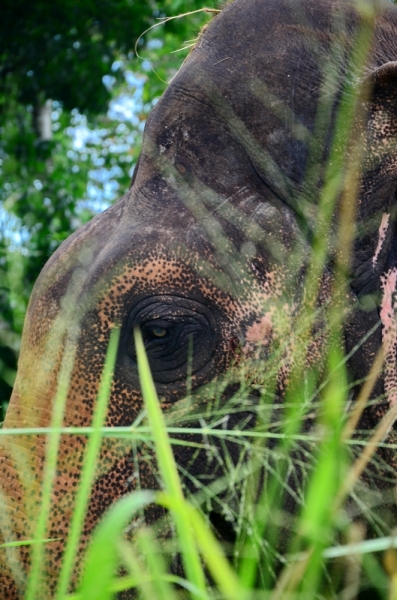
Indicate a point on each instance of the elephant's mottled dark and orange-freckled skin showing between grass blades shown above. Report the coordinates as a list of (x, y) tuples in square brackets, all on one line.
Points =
[(211, 242)]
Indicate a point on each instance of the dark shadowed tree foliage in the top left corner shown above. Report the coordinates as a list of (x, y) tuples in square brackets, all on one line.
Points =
[(62, 49)]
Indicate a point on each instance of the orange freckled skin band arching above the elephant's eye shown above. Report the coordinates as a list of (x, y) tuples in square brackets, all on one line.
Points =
[(196, 279)]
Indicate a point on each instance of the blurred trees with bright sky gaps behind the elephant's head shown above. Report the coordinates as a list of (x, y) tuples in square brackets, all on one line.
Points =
[(73, 102)]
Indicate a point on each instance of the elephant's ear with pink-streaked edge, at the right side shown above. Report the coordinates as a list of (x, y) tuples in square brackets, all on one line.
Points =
[(374, 260)]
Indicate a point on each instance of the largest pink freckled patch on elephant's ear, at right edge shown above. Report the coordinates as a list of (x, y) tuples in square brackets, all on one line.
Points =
[(389, 333)]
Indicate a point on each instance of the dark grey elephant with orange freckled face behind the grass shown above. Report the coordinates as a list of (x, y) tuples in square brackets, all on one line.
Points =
[(269, 163)]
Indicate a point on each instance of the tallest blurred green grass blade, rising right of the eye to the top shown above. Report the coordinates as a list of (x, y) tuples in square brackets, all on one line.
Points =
[(340, 181)]
